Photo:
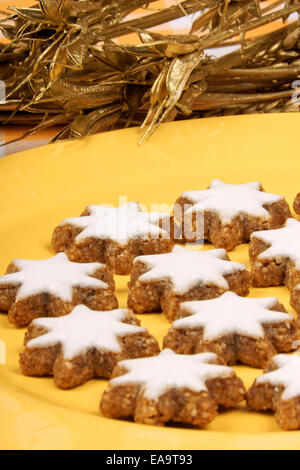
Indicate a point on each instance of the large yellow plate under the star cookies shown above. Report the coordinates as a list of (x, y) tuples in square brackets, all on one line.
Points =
[(42, 186)]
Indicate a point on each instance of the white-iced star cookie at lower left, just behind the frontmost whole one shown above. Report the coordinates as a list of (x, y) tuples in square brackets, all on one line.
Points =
[(83, 344)]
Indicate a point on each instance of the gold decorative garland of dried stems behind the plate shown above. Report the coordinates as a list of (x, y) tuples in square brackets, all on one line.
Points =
[(61, 64)]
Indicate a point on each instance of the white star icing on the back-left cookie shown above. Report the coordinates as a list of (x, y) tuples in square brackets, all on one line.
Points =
[(119, 224)]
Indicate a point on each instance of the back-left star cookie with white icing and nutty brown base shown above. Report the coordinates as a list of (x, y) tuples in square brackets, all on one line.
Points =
[(114, 235)]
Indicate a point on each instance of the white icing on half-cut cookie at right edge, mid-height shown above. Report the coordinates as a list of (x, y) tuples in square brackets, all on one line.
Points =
[(285, 242)]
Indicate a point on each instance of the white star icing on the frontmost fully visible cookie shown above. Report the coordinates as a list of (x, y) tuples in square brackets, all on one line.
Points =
[(169, 370)]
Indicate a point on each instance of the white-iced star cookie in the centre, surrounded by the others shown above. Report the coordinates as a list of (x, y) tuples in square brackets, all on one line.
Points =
[(163, 281)]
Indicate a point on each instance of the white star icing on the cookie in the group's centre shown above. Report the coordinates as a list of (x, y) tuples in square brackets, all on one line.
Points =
[(185, 268)]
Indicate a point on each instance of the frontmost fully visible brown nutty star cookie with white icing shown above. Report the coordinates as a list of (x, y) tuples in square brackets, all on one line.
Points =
[(171, 387)]
